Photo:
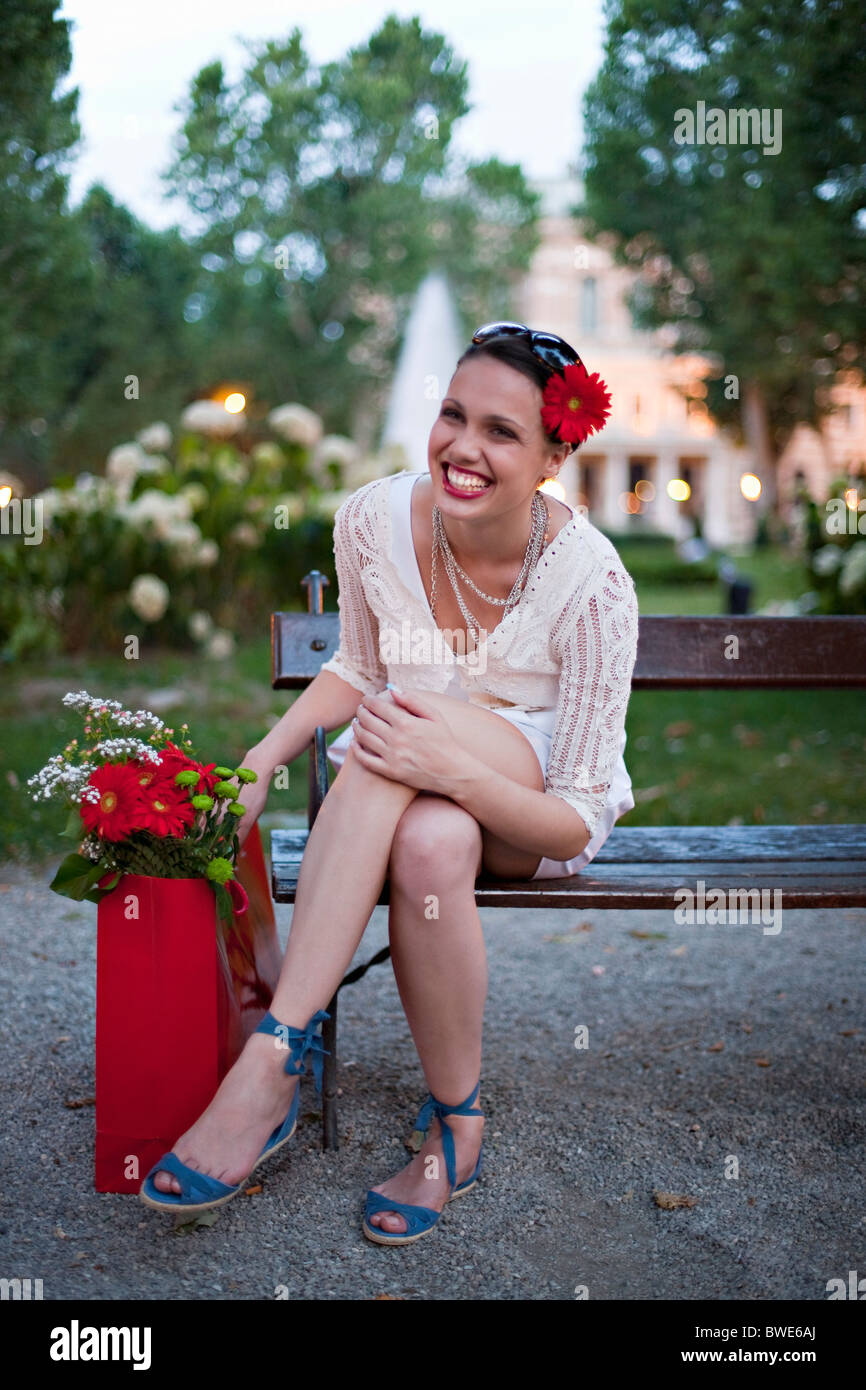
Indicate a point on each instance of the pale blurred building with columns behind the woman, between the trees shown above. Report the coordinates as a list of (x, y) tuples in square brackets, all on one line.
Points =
[(660, 462)]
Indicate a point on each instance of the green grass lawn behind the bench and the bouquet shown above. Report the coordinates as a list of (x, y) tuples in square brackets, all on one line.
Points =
[(694, 757)]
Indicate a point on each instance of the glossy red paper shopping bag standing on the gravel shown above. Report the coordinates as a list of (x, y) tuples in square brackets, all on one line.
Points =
[(177, 996)]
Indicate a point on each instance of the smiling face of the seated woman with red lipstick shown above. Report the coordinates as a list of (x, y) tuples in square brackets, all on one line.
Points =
[(489, 440)]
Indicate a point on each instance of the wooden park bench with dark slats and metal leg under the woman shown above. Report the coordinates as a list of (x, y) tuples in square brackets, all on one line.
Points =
[(637, 868)]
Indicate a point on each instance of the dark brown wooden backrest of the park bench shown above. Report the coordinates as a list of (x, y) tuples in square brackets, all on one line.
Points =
[(673, 653)]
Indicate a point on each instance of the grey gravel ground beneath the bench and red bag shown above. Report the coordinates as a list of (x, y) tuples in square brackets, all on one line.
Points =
[(707, 1045)]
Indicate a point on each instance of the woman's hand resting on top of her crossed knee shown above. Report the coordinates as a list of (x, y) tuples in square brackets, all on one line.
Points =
[(405, 737)]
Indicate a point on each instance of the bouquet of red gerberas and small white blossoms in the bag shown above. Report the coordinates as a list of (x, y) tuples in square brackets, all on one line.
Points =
[(141, 804)]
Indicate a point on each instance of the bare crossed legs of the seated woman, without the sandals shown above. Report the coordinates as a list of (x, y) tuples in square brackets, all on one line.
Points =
[(363, 832)]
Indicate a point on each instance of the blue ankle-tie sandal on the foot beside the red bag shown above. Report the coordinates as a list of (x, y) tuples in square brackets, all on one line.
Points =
[(199, 1192)]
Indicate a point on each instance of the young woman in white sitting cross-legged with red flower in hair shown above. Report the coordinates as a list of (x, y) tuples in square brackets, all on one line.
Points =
[(489, 636)]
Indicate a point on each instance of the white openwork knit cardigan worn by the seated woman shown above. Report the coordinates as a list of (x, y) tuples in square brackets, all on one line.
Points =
[(569, 644)]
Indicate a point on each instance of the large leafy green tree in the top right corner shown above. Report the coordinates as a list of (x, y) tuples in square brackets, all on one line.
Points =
[(757, 259)]
